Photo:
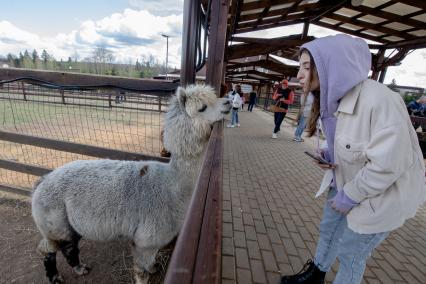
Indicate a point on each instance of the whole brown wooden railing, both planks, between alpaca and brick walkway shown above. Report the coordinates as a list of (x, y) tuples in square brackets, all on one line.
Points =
[(197, 255)]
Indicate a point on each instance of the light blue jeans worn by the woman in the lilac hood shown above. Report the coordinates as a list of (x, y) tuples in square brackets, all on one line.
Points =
[(337, 240)]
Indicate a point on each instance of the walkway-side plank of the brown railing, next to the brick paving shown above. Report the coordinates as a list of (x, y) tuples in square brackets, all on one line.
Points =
[(208, 264)]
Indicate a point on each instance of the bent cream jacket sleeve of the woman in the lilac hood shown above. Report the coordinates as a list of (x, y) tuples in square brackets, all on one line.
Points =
[(389, 155)]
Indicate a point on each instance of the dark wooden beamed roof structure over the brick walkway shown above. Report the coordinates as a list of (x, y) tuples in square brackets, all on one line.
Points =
[(390, 24)]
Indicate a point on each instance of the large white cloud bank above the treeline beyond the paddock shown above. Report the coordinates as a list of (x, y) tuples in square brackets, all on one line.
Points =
[(129, 35)]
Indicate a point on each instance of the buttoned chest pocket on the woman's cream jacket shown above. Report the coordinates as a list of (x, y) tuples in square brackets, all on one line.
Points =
[(350, 152)]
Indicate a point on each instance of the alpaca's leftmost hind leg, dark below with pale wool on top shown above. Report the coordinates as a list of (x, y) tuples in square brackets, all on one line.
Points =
[(48, 249)]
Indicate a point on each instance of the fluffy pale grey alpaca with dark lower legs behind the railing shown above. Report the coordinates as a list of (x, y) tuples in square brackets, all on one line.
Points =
[(143, 201)]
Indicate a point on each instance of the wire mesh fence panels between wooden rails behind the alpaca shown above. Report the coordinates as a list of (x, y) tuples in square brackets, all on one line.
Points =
[(112, 118)]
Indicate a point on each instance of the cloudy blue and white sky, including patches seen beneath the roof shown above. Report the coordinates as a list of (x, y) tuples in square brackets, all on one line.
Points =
[(131, 29)]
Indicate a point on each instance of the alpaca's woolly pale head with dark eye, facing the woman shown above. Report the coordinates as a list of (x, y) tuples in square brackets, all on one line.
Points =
[(189, 119)]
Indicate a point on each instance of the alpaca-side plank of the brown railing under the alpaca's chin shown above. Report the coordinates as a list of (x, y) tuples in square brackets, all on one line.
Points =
[(182, 264)]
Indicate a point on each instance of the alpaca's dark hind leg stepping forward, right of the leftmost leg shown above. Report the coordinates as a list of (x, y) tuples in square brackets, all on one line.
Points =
[(71, 253)]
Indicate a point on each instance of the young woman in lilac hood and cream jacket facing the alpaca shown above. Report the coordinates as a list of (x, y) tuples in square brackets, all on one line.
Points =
[(377, 177)]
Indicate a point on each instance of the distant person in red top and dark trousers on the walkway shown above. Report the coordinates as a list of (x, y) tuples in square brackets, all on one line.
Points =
[(283, 97)]
